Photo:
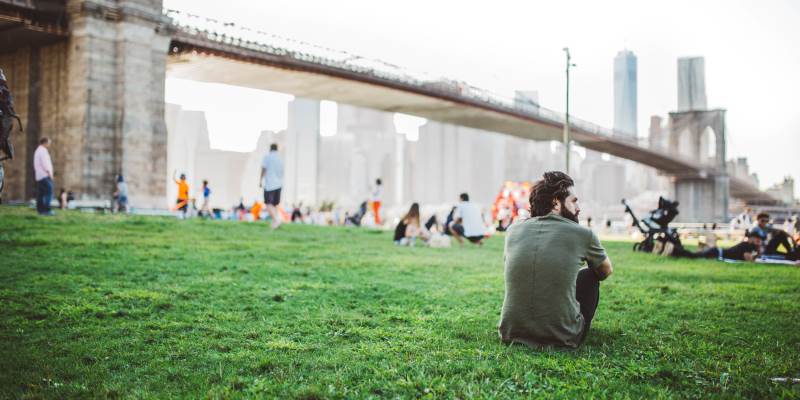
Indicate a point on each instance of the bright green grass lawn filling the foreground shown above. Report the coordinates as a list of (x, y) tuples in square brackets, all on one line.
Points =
[(114, 306)]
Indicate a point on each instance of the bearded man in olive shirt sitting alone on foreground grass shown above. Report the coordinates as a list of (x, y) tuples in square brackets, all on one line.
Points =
[(550, 299)]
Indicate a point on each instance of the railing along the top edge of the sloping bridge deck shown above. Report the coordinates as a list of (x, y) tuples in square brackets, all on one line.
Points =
[(258, 40)]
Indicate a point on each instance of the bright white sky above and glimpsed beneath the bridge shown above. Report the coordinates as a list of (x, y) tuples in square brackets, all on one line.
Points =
[(751, 51)]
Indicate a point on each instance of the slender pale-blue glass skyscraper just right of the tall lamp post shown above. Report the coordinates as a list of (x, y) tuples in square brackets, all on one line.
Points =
[(625, 93)]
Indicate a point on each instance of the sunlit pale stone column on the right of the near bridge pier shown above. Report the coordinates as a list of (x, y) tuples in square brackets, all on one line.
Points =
[(115, 104)]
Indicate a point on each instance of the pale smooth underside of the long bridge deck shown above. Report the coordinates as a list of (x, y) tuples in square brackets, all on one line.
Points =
[(316, 85)]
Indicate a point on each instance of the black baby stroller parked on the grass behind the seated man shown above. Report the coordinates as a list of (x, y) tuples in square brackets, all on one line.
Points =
[(655, 228)]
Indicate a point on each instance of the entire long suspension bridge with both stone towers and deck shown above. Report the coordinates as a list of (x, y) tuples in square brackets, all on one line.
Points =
[(103, 66)]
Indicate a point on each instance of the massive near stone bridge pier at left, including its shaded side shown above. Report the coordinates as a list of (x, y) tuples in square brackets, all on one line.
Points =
[(94, 84)]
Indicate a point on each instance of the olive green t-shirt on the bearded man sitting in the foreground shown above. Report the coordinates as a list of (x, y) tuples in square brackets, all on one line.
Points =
[(542, 258)]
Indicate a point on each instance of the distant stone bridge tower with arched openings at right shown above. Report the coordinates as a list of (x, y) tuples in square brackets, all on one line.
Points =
[(699, 135)]
